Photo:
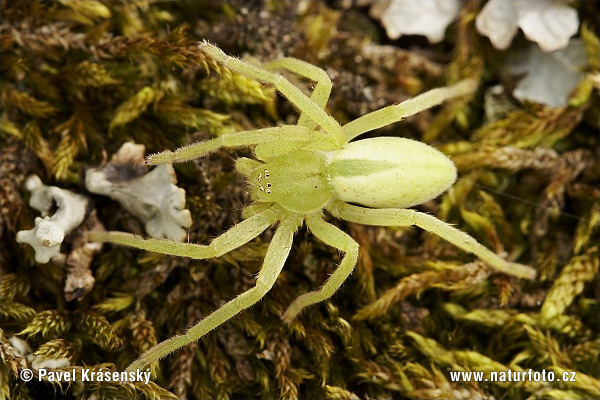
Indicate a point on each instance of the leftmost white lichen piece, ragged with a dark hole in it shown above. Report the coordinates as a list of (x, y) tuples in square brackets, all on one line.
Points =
[(50, 231)]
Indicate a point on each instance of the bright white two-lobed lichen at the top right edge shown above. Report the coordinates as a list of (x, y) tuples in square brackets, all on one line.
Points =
[(549, 23)]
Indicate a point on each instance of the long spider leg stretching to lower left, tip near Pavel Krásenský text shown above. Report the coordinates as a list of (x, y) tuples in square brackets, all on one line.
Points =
[(274, 260)]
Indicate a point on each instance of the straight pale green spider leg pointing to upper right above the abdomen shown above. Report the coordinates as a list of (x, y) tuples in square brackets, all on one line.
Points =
[(397, 112)]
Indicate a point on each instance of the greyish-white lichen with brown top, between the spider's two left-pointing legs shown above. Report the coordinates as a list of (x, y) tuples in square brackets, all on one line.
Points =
[(151, 196)]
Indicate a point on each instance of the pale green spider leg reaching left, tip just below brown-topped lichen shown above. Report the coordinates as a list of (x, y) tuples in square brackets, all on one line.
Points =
[(235, 237)]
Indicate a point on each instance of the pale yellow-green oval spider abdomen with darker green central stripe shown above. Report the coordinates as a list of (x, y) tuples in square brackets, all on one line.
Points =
[(389, 172)]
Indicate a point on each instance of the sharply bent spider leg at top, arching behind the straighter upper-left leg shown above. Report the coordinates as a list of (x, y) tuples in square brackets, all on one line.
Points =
[(322, 90)]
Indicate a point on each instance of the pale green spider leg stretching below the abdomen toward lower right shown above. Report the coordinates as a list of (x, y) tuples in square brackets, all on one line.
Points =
[(406, 217)]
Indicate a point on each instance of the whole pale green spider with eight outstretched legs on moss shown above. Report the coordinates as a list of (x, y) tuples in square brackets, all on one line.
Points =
[(309, 167)]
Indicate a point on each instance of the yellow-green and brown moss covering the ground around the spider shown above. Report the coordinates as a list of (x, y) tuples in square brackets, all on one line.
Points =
[(78, 79)]
